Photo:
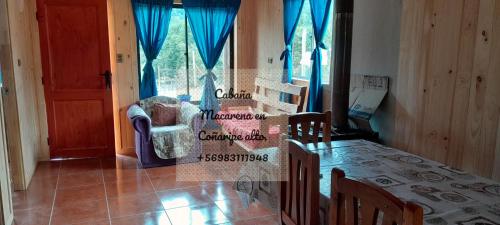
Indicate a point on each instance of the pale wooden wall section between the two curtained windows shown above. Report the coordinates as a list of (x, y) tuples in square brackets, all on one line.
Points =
[(259, 41)]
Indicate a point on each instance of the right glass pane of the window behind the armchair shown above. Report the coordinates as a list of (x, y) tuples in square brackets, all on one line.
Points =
[(197, 69)]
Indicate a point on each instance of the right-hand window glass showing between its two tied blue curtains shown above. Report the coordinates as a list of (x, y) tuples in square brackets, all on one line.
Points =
[(304, 43)]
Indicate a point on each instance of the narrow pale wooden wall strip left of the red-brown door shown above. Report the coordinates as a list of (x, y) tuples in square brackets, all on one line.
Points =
[(20, 67)]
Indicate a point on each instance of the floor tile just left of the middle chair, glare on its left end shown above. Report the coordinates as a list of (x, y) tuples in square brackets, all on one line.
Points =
[(235, 210)]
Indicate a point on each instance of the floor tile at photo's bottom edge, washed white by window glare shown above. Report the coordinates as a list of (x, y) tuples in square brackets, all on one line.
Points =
[(204, 214)]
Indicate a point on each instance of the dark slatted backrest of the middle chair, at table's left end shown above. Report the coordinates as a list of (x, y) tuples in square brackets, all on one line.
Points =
[(300, 194)]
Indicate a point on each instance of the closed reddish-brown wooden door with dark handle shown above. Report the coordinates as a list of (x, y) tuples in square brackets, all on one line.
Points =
[(75, 57)]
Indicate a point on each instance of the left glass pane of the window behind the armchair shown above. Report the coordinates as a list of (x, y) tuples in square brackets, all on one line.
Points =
[(170, 65)]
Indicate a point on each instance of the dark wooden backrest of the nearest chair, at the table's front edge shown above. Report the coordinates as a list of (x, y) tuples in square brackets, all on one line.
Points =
[(353, 203)]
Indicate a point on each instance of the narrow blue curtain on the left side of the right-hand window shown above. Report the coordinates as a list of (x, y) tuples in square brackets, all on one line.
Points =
[(291, 15)]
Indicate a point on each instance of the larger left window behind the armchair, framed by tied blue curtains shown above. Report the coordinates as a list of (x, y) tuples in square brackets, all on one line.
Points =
[(179, 66)]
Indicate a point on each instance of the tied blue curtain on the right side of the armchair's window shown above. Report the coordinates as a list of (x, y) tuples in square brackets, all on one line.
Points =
[(211, 22)]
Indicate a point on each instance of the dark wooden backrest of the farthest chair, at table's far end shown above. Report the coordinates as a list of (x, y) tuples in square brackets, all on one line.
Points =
[(308, 120)]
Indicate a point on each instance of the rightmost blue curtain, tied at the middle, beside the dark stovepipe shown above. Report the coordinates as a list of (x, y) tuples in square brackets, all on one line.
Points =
[(320, 12)]
